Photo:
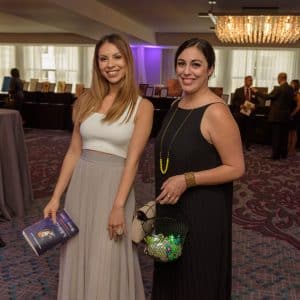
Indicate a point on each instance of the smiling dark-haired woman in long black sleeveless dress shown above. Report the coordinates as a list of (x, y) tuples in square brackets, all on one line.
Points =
[(198, 155)]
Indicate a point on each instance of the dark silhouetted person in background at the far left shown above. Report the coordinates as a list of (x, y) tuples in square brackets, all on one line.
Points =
[(16, 89)]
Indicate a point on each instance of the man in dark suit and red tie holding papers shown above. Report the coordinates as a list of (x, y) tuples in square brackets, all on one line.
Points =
[(242, 113)]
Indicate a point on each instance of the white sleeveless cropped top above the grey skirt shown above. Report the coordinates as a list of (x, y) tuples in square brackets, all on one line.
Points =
[(112, 138)]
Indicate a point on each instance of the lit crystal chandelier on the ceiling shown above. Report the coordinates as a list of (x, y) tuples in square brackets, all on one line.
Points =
[(258, 29)]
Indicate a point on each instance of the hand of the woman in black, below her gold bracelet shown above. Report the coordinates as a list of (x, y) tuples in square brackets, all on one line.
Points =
[(172, 189)]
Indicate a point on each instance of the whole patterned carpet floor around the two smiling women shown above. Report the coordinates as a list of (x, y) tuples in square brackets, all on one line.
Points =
[(266, 229)]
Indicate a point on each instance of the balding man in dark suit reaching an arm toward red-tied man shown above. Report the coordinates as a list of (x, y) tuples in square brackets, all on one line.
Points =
[(281, 104)]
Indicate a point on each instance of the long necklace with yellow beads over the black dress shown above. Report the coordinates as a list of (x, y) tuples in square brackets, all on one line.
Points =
[(163, 169)]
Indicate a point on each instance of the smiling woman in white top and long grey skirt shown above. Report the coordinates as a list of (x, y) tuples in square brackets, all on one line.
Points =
[(112, 124)]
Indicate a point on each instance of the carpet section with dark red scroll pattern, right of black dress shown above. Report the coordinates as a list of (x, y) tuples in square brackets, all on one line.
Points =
[(267, 198)]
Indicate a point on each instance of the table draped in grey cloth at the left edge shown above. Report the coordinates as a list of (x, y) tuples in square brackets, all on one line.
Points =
[(15, 183)]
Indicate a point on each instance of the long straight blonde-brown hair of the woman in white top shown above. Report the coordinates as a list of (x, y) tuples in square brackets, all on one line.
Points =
[(127, 95)]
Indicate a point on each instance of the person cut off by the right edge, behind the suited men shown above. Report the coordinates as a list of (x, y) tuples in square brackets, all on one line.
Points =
[(294, 123)]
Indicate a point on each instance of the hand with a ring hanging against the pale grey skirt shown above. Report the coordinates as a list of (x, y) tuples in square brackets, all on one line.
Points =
[(116, 223)]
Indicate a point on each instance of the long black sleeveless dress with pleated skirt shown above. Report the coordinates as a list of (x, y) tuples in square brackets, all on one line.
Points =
[(204, 269)]
